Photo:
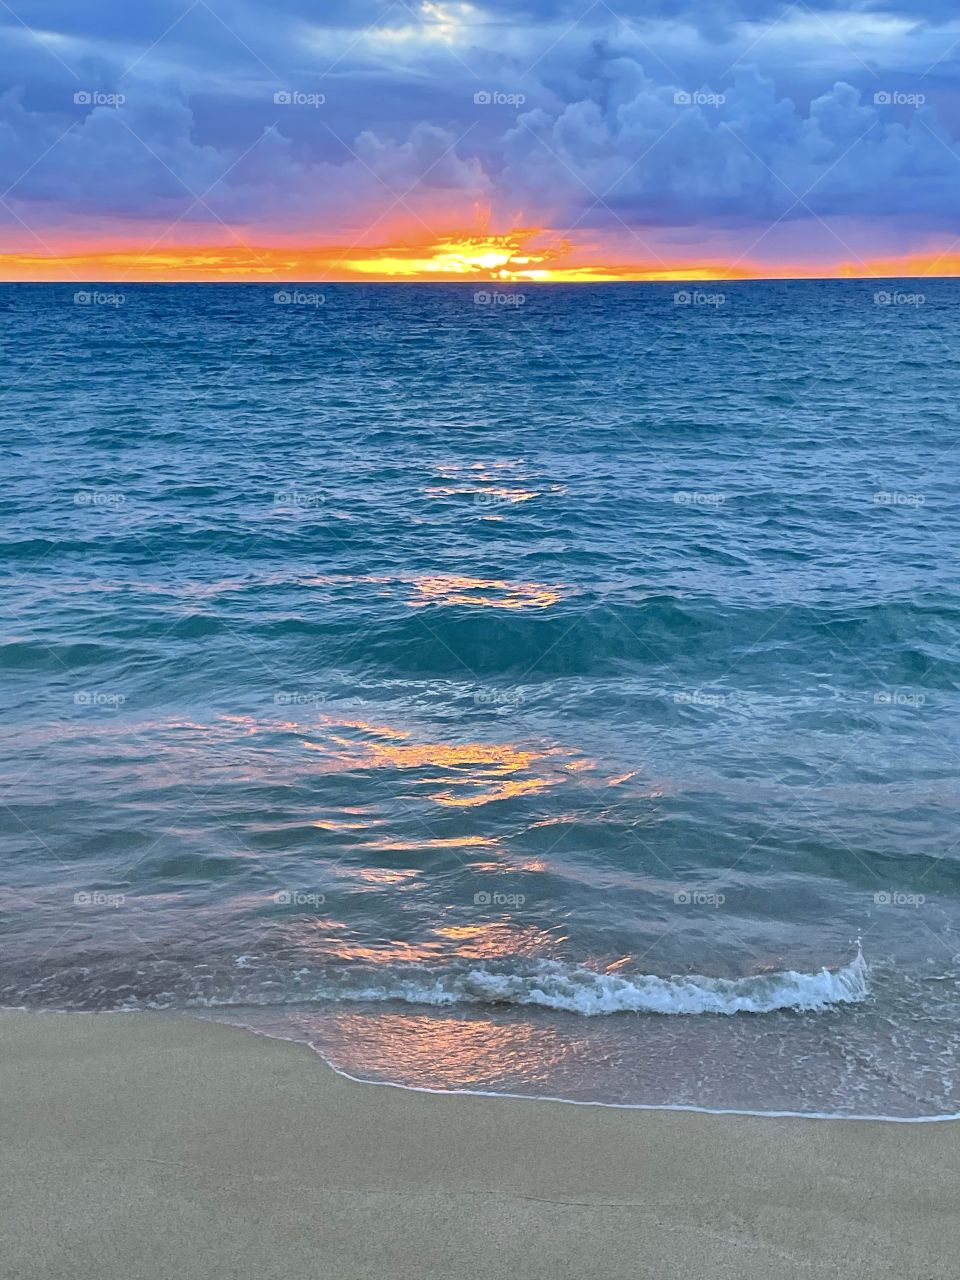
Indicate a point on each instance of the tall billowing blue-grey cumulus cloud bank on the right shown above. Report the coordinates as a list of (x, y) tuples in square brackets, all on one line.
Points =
[(652, 154)]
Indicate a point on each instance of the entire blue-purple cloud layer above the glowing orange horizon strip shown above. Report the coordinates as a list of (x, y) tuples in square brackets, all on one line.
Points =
[(655, 122)]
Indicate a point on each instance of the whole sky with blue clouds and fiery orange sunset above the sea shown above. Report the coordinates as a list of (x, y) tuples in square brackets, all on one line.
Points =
[(514, 140)]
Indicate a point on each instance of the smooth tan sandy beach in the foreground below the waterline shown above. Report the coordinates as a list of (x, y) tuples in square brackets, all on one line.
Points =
[(154, 1146)]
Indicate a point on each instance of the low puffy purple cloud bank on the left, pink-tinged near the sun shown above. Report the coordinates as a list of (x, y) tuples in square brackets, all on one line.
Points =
[(143, 161)]
